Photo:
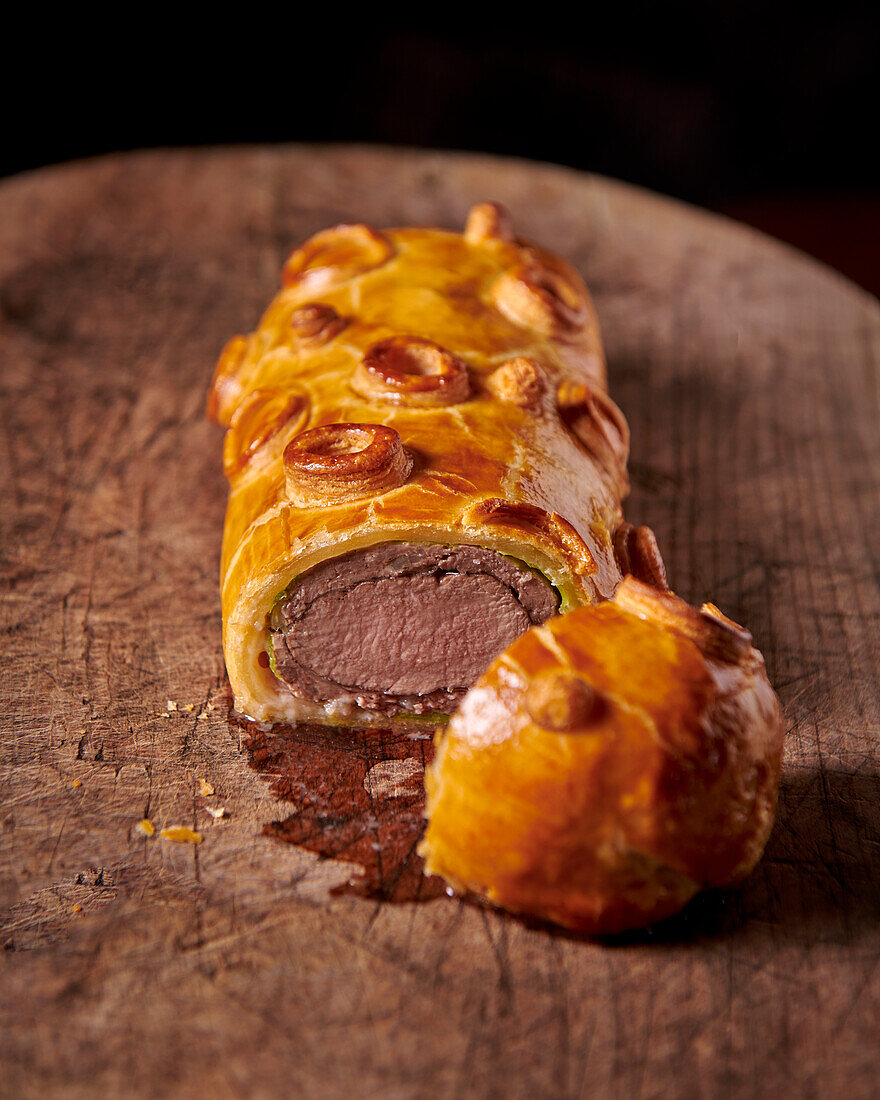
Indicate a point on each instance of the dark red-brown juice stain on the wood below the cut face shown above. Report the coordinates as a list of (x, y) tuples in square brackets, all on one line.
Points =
[(360, 797)]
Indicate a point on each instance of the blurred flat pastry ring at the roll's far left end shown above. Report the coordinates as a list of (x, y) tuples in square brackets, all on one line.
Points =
[(336, 256)]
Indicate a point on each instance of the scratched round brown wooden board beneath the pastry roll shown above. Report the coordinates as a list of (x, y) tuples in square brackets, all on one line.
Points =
[(140, 967)]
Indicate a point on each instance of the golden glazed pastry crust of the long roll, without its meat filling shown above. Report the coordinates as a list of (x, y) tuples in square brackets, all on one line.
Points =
[(414, 386)]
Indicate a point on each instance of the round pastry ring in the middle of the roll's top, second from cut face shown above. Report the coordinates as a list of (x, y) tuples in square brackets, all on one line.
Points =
[(412, 371)]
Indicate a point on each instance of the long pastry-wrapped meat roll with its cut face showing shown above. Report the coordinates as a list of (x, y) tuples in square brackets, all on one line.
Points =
[(423, 465)]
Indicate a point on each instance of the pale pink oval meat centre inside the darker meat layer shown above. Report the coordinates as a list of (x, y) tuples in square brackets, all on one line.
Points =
[(411, 635)]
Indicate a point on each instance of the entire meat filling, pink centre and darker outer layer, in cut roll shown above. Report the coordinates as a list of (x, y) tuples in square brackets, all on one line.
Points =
[(403, 628)]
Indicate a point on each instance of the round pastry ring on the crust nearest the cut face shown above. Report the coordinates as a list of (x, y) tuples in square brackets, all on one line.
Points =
[(340, 463)]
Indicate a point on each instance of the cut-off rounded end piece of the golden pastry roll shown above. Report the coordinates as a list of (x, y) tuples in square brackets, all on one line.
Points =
[(609, 765)]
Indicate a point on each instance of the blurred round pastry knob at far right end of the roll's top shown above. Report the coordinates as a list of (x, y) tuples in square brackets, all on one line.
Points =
[(543, 296)]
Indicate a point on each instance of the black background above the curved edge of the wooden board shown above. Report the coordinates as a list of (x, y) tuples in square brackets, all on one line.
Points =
[(767, 112)]
